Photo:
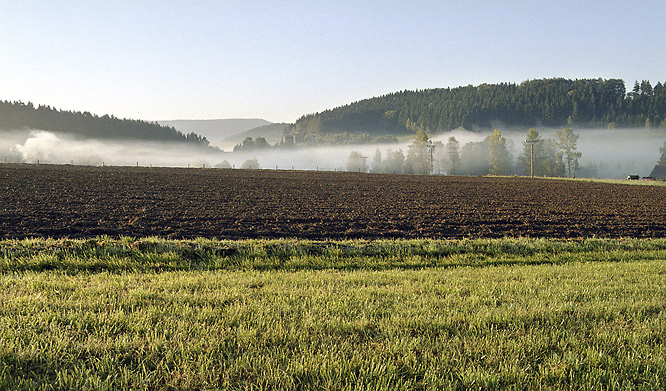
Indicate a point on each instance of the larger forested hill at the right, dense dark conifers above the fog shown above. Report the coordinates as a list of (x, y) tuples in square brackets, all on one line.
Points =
[(542, 102)]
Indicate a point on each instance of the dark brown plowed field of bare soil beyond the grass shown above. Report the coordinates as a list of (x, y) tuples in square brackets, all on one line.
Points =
[(70, 201)]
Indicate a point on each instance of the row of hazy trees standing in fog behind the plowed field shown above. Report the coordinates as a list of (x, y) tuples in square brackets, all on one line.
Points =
[(556, 157)]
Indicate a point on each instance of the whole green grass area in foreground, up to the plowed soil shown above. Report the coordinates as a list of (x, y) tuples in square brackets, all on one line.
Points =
[(291, 314)]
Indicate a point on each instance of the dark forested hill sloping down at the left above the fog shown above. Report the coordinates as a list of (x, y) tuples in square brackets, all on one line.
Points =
[(18, 115)]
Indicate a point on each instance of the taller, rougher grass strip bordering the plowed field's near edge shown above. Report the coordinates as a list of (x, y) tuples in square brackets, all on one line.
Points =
[(105, 254)]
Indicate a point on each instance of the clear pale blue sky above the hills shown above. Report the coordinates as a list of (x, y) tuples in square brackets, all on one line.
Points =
[(279, 60)]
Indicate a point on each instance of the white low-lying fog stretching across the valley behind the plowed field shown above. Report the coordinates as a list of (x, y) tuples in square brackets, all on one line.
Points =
[(613, 153)]
